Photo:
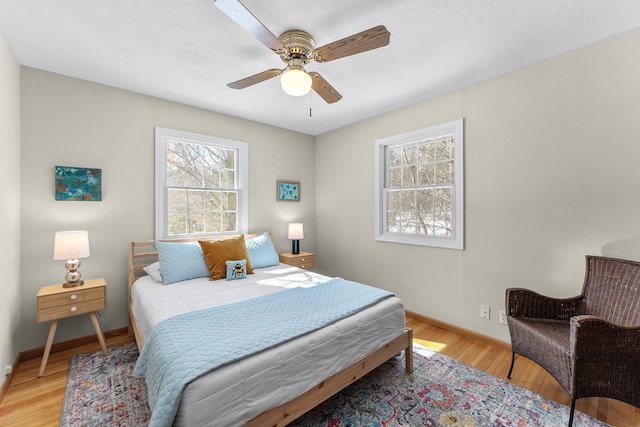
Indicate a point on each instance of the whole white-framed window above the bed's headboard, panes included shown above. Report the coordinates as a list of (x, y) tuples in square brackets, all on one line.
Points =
[(200, 185)]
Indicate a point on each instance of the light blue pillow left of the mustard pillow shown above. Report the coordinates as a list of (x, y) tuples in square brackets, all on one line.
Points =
[(180, 261)]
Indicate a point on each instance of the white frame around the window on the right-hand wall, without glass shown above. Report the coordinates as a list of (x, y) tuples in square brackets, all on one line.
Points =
[(457, 240)]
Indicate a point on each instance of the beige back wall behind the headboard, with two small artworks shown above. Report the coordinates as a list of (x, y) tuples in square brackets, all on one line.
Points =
[(72, 122)]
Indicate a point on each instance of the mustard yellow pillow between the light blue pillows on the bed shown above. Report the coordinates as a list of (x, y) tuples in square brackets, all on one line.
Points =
[(218, 252)]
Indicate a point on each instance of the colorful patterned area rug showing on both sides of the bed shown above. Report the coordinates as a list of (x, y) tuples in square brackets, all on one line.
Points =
[(441, 392)]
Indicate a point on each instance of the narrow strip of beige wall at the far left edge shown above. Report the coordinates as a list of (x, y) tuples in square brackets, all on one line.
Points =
[(10, 205)]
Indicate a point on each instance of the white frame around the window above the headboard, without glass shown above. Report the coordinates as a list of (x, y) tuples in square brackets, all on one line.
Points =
[(162, 135)]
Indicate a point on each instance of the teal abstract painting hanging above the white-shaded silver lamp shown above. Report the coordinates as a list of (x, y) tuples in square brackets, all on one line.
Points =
[(78, 184)]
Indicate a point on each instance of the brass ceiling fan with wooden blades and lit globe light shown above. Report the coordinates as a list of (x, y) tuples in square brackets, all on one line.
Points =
[(297, 48)]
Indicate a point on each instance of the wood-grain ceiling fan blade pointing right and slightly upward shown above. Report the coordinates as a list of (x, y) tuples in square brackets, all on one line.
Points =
[(372, 38)]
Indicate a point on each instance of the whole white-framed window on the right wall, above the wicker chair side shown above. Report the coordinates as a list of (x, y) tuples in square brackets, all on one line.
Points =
[(419, 187)]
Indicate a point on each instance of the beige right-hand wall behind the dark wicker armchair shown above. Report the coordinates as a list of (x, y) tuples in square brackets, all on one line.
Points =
[(551, 174)]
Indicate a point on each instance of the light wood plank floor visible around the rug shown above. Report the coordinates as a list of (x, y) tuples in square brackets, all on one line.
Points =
[(32, 401)]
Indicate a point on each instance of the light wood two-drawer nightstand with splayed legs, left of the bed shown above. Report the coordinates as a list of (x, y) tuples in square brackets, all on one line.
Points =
[(56, 302)]
